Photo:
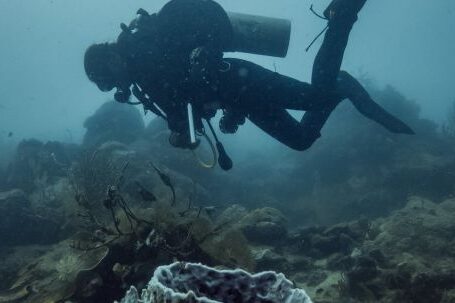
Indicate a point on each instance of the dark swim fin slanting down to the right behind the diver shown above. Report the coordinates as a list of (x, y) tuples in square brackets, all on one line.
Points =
[(349, 87)]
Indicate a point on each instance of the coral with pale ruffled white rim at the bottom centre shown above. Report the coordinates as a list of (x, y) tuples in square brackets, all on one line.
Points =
[(189, 282)]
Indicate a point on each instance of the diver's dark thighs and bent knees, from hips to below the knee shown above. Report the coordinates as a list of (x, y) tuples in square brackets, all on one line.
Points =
[(268, 94)]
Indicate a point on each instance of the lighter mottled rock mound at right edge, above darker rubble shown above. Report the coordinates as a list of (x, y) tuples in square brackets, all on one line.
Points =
[(421, 229)]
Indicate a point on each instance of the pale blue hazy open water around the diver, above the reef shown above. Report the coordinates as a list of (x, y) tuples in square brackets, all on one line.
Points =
[(407, 44)]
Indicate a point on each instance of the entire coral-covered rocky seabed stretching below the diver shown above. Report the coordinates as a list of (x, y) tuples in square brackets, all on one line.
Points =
[(361, 217)]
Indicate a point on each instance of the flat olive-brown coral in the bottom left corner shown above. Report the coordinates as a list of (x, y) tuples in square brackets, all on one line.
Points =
[(59, 273)]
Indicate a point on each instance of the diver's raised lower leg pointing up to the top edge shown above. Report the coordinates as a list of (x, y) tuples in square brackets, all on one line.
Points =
[(341, 16)]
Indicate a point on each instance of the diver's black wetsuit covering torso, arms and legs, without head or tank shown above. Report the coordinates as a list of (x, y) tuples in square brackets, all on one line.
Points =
[(160, 65)]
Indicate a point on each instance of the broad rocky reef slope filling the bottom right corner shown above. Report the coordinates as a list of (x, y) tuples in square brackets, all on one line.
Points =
[(406, 257)]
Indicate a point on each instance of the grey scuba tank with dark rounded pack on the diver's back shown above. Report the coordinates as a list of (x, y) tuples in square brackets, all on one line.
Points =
[(207, 20)]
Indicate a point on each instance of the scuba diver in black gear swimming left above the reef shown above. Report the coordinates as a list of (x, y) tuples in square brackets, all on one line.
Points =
[(172, 61)]
